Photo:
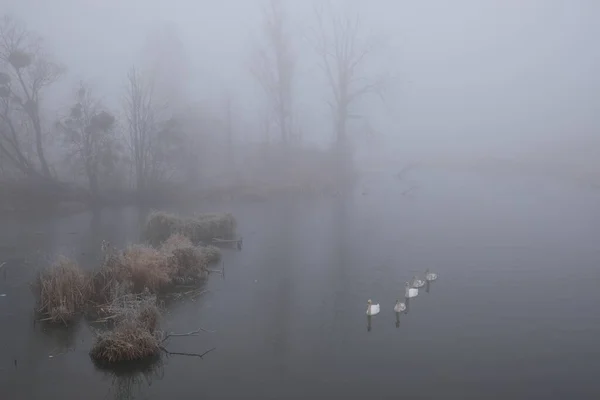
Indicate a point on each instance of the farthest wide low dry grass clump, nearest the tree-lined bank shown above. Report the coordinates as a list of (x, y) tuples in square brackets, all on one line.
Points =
[(200, 228)]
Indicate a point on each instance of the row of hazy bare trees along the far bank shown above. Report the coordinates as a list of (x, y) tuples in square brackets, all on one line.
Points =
[(149, 141)]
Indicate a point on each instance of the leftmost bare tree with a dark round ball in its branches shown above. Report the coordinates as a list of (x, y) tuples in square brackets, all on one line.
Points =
[(26, 73)]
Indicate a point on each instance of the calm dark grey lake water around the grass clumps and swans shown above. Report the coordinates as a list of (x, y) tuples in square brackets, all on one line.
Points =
[(514, 314)]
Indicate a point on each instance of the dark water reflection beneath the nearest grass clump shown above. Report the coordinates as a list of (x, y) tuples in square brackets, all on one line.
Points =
[(129, 379)]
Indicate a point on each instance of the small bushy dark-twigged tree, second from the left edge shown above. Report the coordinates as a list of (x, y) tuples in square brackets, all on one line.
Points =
[(88, 134)]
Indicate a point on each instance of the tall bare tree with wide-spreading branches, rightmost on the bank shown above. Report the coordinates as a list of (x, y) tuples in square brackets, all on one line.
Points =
[(344, 50)]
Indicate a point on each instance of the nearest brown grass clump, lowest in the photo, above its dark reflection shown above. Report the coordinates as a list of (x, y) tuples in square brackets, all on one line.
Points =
[(134, 336)]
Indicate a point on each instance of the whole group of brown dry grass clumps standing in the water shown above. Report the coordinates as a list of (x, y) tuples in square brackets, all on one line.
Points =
[(123, 290)]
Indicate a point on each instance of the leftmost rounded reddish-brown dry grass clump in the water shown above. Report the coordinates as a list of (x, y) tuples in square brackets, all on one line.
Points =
[(62, 290)]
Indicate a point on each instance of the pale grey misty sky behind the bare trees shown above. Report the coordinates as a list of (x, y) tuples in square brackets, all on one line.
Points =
[(506, 75)]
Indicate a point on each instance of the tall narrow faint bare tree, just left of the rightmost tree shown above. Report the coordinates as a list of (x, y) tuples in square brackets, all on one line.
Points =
[(273, 66)]
